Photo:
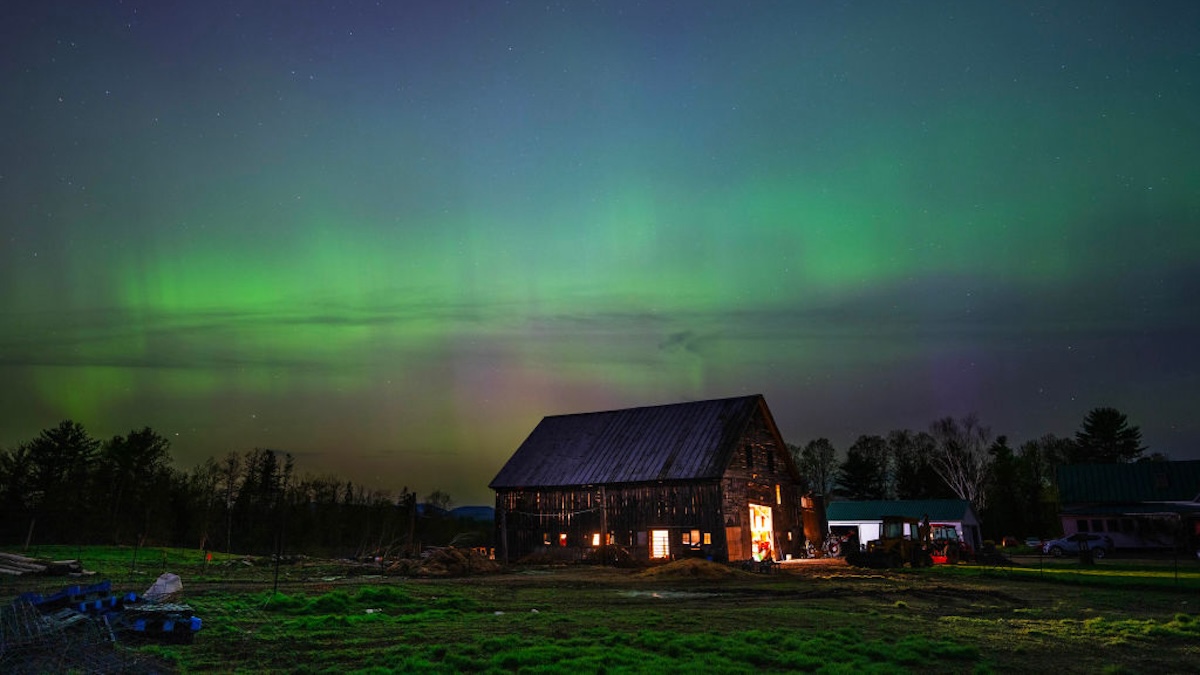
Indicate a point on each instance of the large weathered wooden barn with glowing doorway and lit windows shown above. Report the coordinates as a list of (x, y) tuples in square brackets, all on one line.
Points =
[(704, 479)]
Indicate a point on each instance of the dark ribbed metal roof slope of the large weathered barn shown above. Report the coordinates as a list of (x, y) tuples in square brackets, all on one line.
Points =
[(670, 443)]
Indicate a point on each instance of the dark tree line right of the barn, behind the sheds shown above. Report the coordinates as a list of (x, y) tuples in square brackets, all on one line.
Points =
[(1013, 491)]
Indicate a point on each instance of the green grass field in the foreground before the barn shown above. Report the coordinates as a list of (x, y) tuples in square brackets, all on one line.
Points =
[(811, 617)]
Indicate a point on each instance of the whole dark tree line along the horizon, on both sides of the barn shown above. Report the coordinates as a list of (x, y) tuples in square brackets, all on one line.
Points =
[(67, 487)]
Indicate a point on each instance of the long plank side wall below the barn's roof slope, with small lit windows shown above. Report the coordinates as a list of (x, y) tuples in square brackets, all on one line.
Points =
[(536, 521)]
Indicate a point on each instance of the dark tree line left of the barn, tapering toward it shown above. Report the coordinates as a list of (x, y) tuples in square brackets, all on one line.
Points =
[(67, 487)]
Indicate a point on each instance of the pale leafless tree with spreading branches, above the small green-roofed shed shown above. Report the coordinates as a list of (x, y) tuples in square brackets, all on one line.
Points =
[(961, 457)]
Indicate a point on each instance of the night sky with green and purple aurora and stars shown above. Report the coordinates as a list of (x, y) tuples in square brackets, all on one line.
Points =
[(391, 237)]
